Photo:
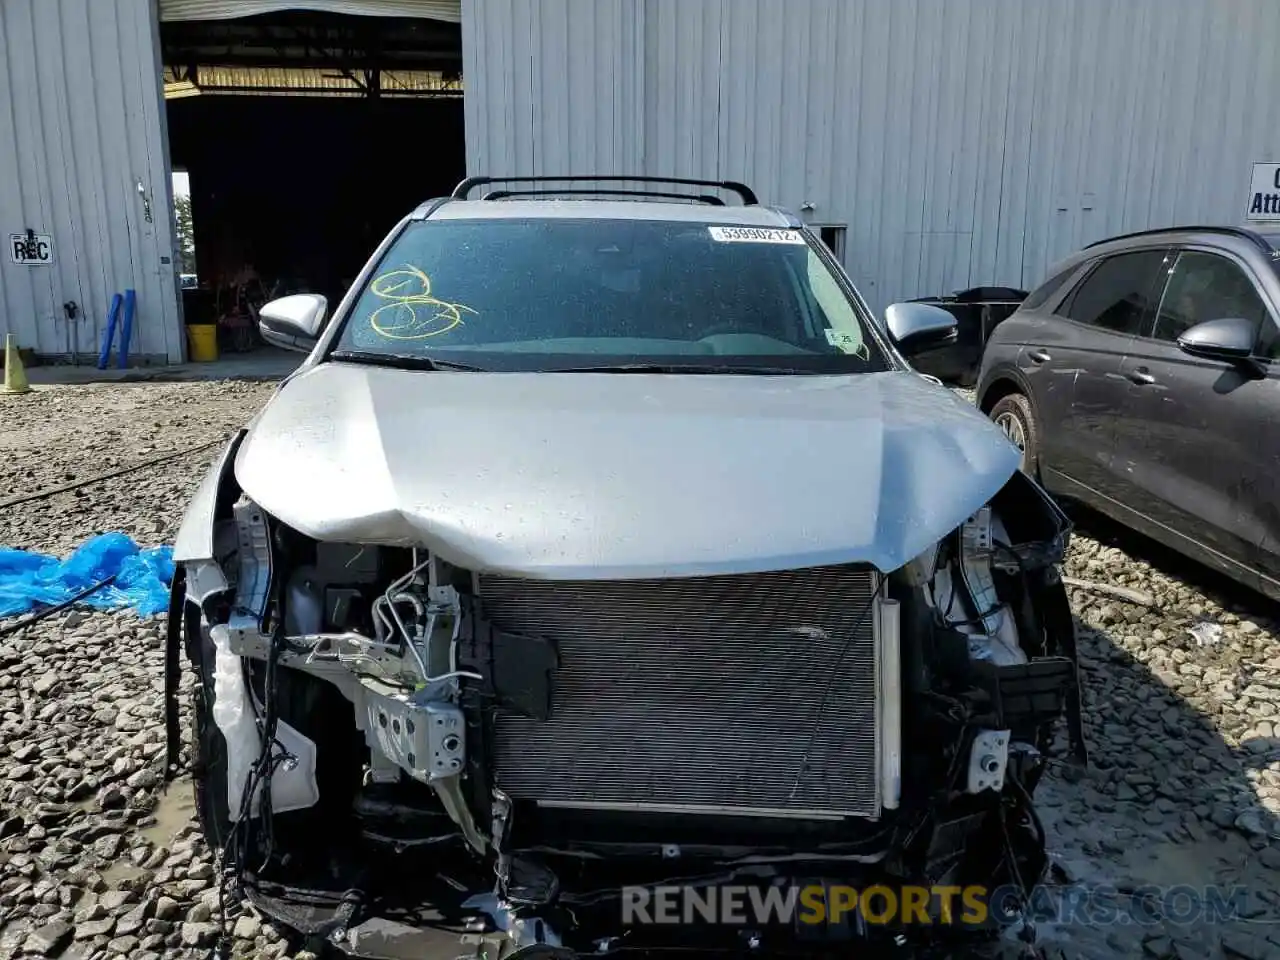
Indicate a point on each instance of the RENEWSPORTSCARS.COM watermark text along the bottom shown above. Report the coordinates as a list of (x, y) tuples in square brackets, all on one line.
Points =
[(939, 906)]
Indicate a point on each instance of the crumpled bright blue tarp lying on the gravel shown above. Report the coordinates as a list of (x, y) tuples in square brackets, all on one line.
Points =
[(33, 580)]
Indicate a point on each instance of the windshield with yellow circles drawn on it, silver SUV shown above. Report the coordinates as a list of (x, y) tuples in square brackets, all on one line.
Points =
[(582, 294)]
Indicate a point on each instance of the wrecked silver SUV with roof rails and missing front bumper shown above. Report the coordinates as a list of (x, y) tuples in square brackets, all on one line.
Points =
[(607, 542)]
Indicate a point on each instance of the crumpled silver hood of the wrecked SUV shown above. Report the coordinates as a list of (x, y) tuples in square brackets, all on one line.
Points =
[(624, 476)]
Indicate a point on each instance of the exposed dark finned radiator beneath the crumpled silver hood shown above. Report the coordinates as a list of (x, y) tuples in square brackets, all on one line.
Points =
[(700, 694)]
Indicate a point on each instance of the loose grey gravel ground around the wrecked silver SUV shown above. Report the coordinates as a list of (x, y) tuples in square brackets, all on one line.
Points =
[(1182, 706)]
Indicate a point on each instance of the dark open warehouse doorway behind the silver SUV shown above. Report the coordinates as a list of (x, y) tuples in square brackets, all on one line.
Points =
[(304, 135)]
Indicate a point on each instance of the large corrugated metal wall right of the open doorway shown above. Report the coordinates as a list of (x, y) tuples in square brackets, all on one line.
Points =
[(963, 143)]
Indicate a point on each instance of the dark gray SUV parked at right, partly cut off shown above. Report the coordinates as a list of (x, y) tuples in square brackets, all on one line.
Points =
[(1142, 380)]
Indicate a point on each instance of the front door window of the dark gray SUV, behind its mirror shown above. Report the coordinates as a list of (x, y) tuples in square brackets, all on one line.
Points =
[(1208, 287)]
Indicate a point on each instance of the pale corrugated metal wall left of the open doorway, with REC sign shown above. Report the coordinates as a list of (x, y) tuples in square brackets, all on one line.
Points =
[(81, 127)]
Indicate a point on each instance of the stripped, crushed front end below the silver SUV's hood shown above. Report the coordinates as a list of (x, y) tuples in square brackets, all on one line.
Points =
[(460, 761)]
